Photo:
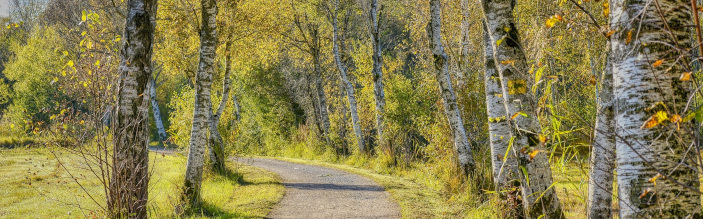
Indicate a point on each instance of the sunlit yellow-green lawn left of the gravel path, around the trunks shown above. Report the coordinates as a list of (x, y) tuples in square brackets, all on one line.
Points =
[(34, 185)]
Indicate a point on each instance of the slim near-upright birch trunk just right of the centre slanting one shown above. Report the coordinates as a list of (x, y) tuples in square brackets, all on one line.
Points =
[(379, 94)]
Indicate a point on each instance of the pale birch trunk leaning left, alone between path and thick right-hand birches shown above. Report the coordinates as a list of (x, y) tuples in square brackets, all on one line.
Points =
[(461, 143)]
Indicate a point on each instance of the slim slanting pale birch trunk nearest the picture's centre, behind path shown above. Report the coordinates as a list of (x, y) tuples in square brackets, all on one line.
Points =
[(347, 85)]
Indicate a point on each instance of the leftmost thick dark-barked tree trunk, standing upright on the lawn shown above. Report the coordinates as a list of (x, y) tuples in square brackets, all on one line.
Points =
[(128, 186)]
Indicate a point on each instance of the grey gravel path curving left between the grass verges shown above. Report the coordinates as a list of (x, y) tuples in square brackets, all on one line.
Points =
[(320, 192)]
